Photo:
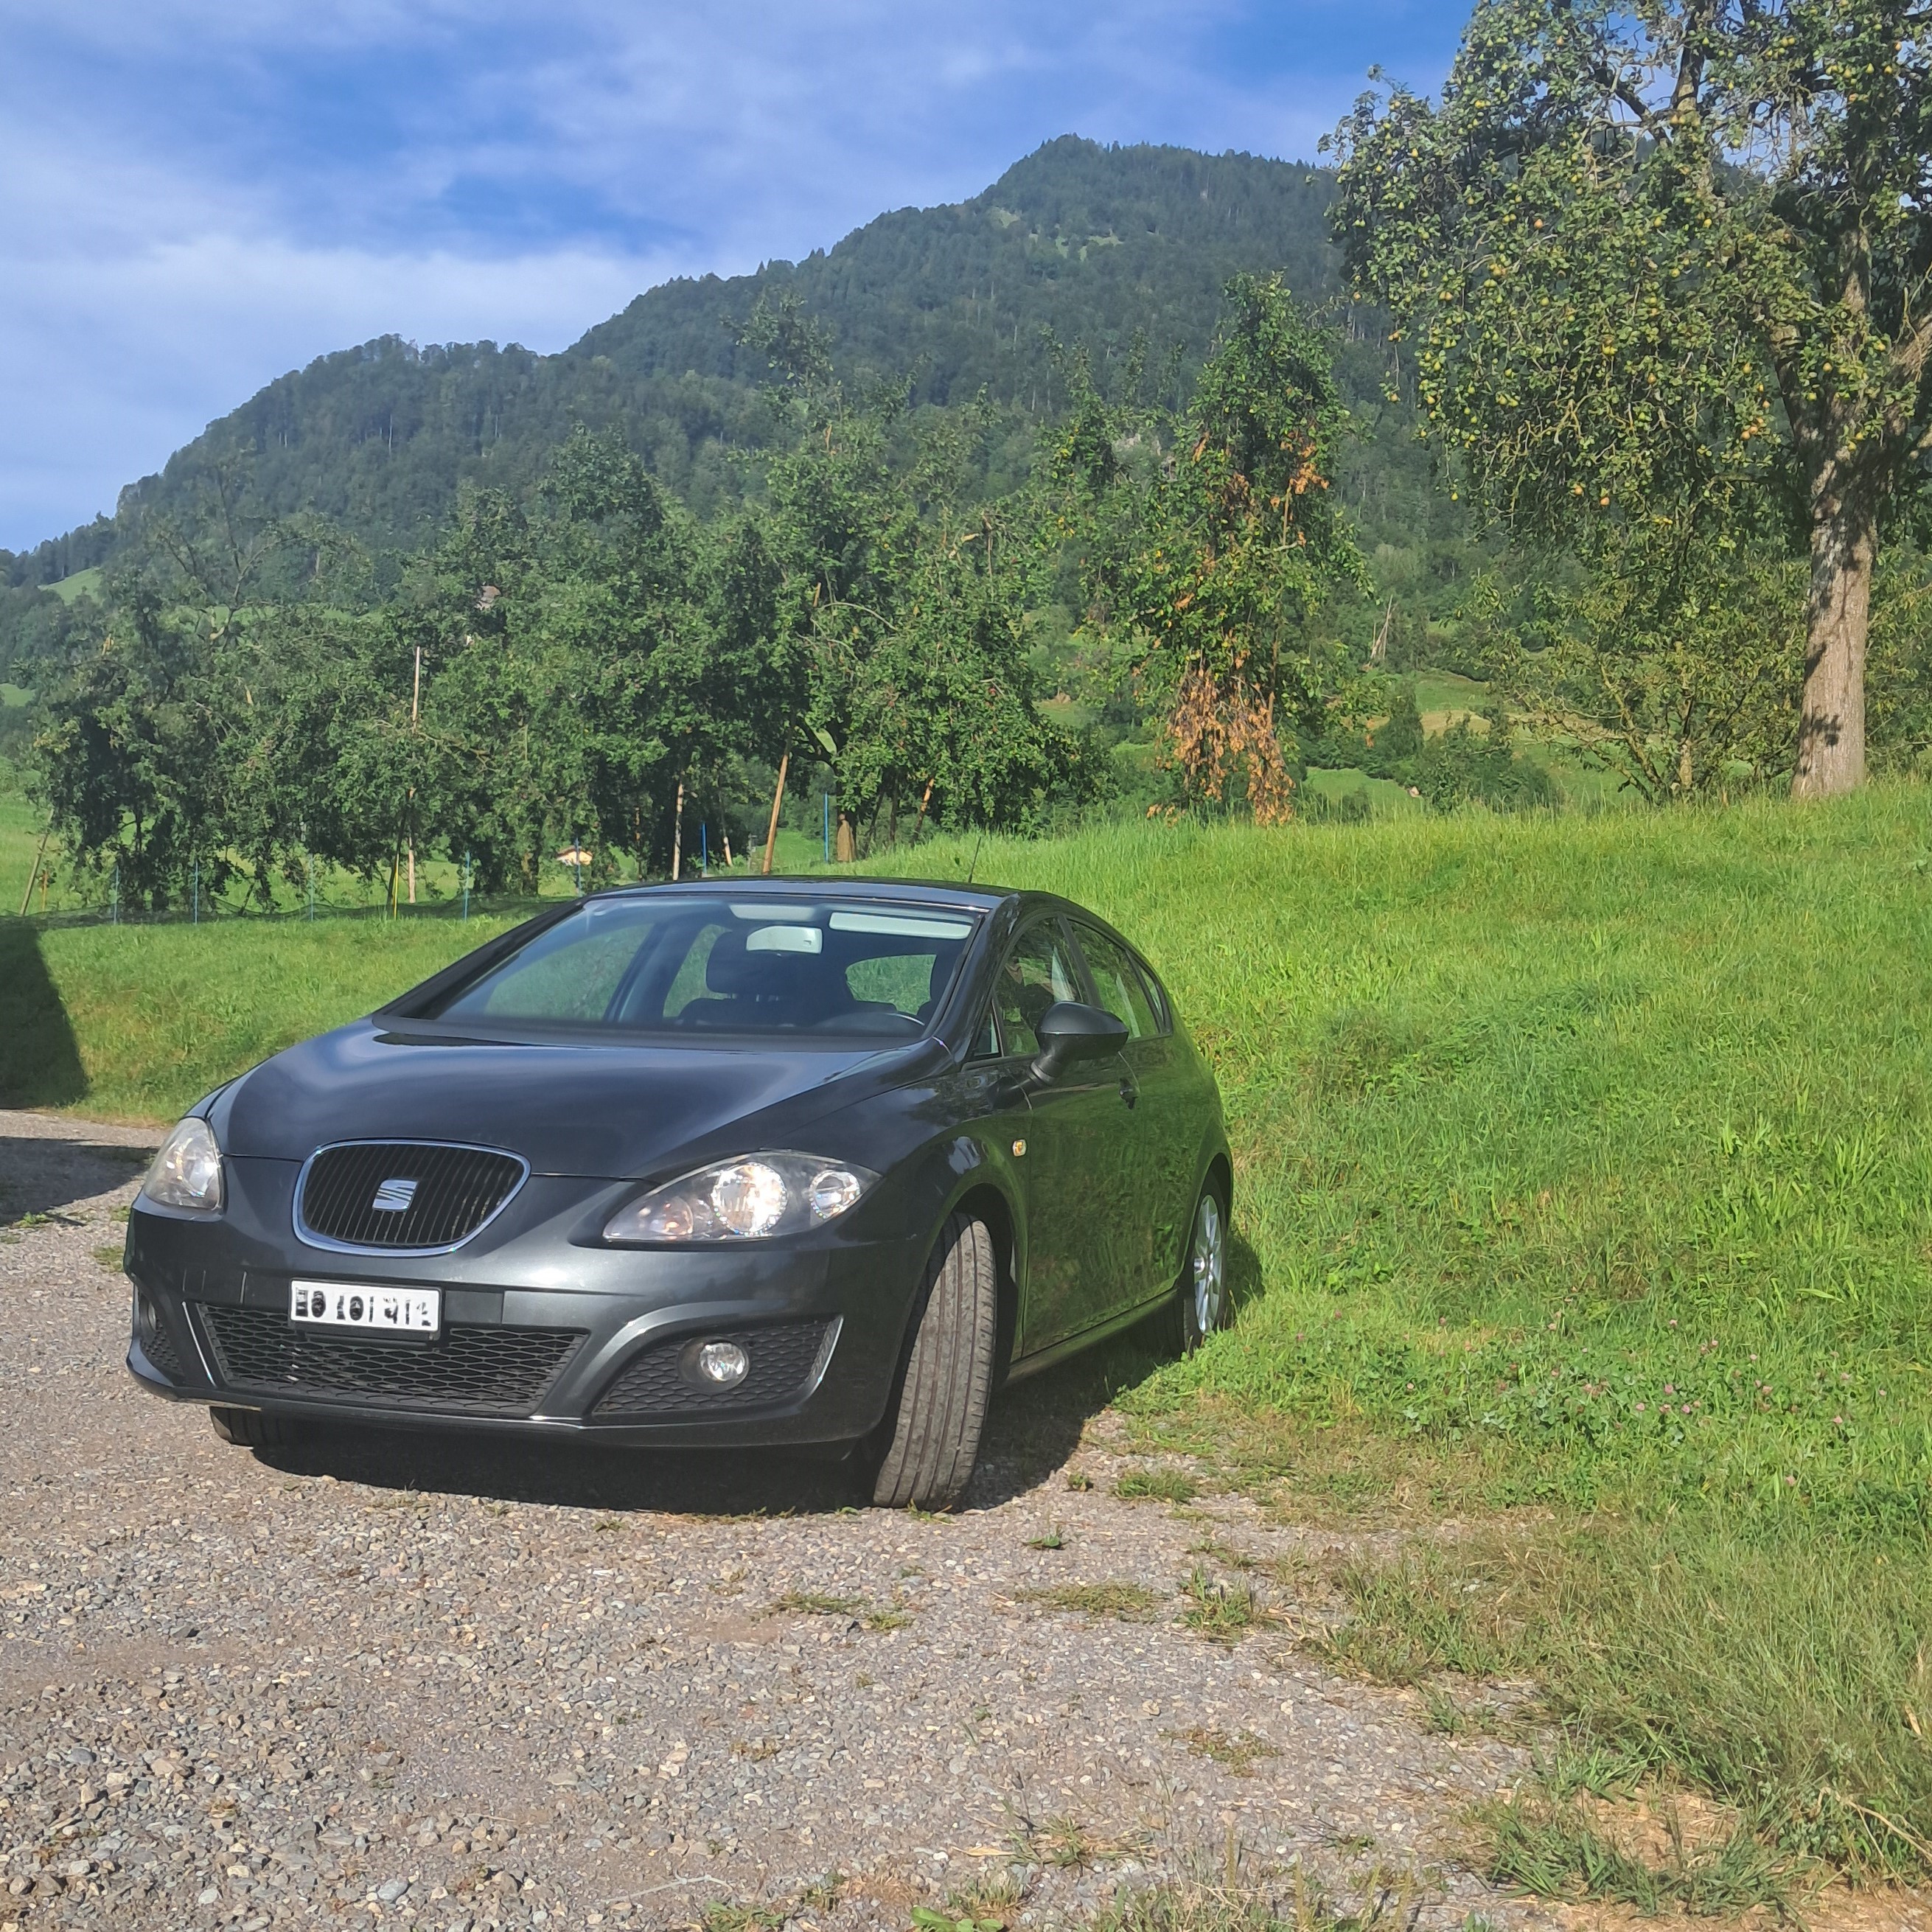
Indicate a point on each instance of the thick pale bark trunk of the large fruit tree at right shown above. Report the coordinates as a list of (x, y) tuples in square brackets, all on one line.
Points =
[(1838, 617)]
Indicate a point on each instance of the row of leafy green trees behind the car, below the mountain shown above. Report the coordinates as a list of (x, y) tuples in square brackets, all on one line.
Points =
[(594, 666)]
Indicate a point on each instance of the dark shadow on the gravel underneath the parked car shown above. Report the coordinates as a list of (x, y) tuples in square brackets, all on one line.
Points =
[(1031, 1435)]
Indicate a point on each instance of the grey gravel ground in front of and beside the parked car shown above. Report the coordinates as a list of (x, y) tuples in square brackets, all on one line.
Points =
[(449, 1684)]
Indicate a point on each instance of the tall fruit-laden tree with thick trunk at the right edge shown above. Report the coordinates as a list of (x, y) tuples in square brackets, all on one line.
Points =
[(1661, 268)]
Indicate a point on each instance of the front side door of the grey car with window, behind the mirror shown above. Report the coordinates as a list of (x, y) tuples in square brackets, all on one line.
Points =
[(1077, 1176)]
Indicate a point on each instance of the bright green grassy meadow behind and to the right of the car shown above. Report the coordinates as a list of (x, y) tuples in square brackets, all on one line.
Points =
[(1585, 1197)]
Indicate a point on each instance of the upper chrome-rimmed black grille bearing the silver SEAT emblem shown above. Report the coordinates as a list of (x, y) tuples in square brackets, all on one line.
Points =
[(436, 1195)]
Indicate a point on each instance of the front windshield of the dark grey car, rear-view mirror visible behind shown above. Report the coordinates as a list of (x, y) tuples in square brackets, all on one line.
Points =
[(668, 963)]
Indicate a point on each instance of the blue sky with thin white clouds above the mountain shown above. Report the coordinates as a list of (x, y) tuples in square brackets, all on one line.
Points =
[(202, 194)]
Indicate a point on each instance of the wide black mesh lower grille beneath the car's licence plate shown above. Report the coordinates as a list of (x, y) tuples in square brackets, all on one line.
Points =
[(478, 1371)]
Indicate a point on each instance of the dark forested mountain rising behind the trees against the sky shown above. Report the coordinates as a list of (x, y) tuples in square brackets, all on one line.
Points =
[(1091, 242)]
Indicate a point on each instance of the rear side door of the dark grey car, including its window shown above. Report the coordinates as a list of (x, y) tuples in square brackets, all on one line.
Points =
[(1164, 1139)]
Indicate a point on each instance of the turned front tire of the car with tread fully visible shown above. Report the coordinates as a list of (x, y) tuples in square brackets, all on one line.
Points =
[(950, 1375)]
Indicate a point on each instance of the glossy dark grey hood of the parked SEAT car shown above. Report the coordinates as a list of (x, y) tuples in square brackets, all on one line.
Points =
[(598, 1110)]
